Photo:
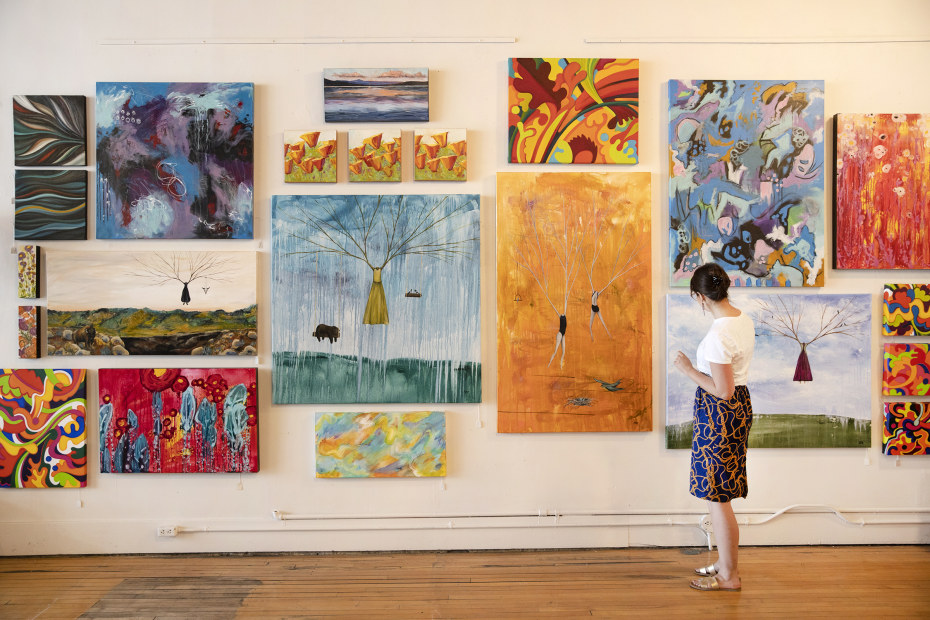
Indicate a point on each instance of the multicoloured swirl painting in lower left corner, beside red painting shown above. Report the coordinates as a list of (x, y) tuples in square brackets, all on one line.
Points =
[(43, 443)]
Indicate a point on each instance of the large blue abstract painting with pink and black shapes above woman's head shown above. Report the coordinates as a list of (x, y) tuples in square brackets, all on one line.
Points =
[(746, 186)]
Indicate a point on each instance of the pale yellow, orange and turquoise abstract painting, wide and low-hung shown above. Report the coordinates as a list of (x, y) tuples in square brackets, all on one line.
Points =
[(381, 445)]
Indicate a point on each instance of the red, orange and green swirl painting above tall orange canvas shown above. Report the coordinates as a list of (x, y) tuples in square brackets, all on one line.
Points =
[(573, 111)]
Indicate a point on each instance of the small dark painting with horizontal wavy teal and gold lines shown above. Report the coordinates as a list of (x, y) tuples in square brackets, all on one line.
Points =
[(50, 204)]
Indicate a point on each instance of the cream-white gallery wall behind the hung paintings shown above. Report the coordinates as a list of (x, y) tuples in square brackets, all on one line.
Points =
[(61, 47)]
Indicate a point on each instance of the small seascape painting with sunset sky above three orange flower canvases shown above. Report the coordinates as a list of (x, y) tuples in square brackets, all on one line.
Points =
[(376, 95)]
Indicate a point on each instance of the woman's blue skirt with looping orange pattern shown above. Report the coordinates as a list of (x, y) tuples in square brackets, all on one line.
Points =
[(718, 447)]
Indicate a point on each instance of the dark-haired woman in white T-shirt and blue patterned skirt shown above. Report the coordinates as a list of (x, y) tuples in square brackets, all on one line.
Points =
[(722, 418)]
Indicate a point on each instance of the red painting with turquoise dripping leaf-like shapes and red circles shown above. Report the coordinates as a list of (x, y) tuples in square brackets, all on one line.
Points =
[(178, 420)]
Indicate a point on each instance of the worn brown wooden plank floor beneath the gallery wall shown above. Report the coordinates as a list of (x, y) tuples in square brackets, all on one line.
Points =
[(778, 582)]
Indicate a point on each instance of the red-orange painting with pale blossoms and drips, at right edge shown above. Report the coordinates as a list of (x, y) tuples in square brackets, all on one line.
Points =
[(881, 203)]
